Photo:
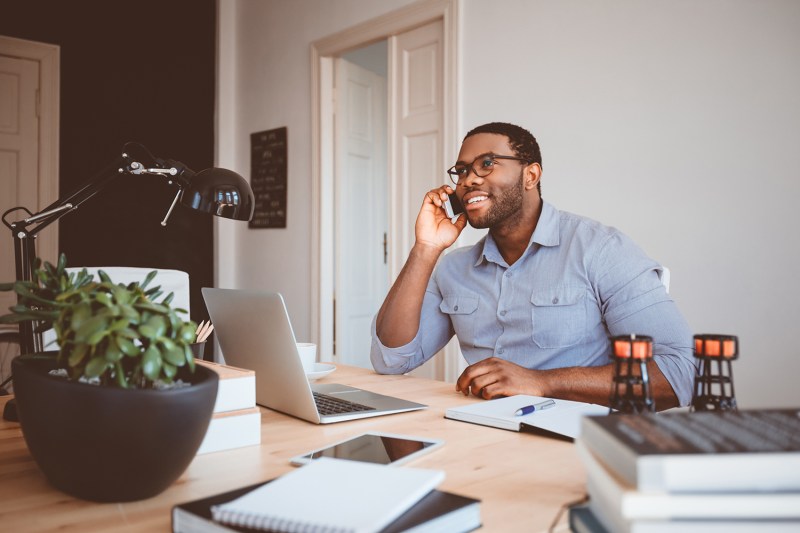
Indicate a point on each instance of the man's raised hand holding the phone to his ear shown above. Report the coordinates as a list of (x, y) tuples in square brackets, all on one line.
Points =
[(434, 225)]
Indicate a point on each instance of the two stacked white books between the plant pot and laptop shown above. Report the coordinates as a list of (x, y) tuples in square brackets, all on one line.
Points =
[(236, 421)]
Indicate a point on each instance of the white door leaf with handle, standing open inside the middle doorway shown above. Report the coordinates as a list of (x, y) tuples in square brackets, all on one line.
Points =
[(361, 218)]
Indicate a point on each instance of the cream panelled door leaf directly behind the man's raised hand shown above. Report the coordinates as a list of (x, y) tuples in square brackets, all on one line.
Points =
[(417, 74)]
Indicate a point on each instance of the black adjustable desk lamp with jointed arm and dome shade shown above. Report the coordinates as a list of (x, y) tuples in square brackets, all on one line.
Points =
[(216, 191)]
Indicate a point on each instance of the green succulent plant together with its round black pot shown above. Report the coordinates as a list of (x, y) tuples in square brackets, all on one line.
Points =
[(119, 411)]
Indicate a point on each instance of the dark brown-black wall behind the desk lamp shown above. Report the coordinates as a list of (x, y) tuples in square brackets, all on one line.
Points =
[(131, 71)]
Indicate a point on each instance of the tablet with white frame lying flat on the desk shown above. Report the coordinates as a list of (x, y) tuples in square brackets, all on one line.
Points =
[(374, 447)]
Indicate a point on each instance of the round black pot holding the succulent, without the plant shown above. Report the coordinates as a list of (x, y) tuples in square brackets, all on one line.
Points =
[(107, 444)]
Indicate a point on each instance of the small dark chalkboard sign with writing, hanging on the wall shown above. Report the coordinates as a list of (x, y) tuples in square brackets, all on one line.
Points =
[(268, 178)]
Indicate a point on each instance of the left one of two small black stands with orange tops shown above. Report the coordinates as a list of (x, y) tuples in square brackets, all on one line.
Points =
[(631, 383)]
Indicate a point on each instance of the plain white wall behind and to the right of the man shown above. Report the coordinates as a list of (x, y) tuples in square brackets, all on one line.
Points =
[(679, 123)]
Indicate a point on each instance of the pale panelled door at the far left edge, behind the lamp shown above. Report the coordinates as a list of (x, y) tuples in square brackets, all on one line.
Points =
[(19, 154)]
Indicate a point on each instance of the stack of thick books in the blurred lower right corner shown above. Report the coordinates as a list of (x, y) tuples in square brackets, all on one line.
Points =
[(725, 471)]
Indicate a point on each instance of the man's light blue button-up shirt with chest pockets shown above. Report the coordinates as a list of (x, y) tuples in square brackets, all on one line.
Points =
[(577, 284)]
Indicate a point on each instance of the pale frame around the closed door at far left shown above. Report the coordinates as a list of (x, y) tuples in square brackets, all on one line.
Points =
[(48, 56)]
